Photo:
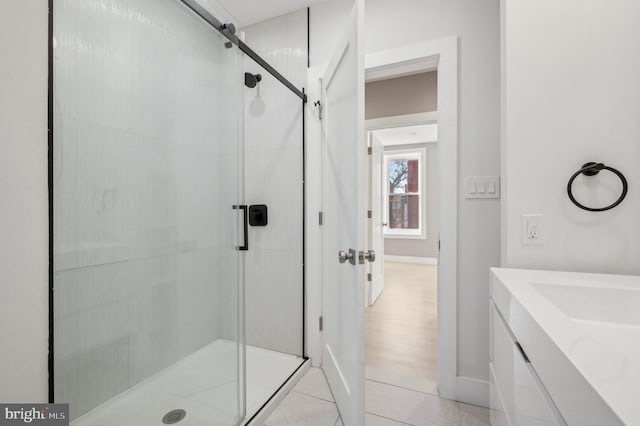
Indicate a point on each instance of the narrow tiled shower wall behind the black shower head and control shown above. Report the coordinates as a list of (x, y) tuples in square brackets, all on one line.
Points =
[(274, 161)]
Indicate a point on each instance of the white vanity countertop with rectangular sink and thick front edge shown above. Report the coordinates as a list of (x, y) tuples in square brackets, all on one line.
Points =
[(581, 332)]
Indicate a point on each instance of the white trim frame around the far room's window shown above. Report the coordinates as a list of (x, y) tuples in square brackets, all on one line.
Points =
[(419, 153)]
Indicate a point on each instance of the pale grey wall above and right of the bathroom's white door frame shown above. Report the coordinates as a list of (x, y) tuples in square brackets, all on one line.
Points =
[(394, 24)]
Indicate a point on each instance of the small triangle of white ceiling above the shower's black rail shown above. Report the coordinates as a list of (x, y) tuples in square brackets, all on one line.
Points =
[(249, 12)]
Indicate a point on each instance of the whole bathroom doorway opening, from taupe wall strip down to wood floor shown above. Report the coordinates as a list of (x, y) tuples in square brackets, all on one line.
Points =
[(401, 312)]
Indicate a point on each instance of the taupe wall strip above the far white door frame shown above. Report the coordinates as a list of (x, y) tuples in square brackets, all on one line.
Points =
[(402, 95)]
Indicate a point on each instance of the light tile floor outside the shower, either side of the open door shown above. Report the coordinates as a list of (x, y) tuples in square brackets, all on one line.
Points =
[(311, 403)]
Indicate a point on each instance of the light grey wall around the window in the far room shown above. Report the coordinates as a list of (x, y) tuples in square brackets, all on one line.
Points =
[(421, 247)]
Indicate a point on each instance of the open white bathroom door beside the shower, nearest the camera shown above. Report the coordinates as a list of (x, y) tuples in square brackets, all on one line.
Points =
[(344, 225)]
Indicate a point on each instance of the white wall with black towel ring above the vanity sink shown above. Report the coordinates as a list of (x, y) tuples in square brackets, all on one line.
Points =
[(572, 94)]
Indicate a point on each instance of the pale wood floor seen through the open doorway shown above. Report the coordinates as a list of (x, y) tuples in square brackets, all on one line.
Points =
[(401, 327)]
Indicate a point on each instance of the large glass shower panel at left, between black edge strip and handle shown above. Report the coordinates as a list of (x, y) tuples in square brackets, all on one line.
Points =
[(147, 168)]
